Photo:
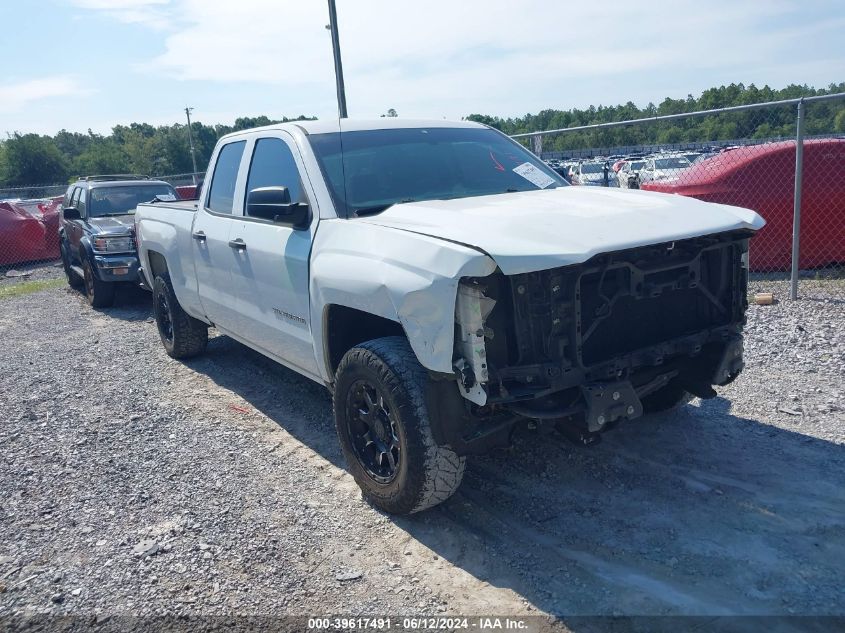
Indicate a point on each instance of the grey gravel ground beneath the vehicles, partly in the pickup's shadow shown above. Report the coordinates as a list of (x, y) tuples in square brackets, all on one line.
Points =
[(133, 483)]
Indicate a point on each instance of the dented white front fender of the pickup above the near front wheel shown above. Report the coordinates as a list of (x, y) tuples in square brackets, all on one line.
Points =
[(395, 274)]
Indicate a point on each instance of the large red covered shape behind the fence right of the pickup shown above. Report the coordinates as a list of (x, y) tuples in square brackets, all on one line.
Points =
[(762, 178)]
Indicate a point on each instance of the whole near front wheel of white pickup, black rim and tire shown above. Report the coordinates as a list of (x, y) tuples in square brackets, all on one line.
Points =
[(384, 426)]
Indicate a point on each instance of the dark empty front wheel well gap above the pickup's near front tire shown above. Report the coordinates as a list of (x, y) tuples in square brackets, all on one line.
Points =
[(344, 328)]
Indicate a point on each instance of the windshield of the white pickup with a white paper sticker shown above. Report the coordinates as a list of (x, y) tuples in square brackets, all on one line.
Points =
[(379, 168)]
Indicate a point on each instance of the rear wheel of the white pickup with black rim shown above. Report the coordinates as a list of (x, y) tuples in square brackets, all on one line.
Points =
[(188, 336)]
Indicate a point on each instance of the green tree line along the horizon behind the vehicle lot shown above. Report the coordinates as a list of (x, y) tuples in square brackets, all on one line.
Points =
[(32, 159)]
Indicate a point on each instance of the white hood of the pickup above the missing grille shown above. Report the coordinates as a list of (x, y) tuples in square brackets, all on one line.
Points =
[(536, 230)]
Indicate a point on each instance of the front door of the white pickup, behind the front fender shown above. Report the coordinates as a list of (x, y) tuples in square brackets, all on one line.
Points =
[(270, 274)]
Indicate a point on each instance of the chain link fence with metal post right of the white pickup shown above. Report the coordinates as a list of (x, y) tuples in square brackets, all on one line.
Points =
[(785, 160)]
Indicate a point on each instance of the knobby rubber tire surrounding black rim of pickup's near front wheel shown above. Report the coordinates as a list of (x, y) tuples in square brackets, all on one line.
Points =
[(427, 474)]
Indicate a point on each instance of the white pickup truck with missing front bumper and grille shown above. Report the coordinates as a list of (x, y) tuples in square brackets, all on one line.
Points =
[(446, 285)]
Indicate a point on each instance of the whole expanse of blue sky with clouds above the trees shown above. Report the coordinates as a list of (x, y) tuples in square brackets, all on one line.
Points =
[(80, 64)]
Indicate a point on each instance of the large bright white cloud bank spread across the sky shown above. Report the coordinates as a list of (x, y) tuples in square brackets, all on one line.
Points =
[(442, 57)]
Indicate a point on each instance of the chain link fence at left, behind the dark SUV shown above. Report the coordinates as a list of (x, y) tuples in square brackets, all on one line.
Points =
[(29, 224)]
